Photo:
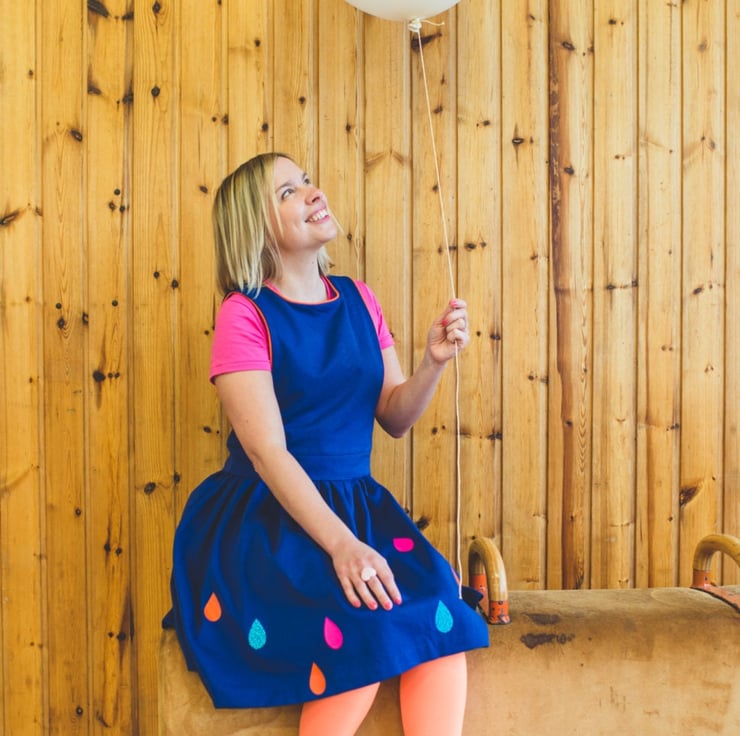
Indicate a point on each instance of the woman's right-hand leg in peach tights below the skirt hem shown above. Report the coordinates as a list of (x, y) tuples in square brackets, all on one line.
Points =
[(433, 697)]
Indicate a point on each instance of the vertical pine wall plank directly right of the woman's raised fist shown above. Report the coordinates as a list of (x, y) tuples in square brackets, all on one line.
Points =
[(479, 164)]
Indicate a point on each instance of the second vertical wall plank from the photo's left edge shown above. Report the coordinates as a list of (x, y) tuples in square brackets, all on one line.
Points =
[(65, 367)]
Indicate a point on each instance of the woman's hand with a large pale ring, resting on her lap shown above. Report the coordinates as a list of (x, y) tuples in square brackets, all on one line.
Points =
[(365, 576)]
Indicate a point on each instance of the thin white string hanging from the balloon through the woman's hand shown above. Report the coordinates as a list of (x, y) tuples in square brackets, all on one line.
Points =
[(415, 27)]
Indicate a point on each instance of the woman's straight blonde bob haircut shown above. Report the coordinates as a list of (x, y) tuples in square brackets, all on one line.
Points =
[(244, 211)]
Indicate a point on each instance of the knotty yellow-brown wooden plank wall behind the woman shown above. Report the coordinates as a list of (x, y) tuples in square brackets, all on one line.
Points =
[(589, 164)]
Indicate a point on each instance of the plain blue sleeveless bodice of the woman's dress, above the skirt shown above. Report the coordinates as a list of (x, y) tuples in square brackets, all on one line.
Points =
[(327, 371)]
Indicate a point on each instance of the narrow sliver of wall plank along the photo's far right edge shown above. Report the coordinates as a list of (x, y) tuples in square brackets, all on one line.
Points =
[(731, 572)]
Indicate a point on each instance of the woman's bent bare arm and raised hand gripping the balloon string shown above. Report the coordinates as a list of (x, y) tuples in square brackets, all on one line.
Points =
[(402, 401)]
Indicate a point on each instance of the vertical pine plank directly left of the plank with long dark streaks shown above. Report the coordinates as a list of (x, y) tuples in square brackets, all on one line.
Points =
[(524, 285)]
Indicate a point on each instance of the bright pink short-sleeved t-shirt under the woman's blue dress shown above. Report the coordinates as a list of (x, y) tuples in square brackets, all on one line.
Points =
[(240, 341)]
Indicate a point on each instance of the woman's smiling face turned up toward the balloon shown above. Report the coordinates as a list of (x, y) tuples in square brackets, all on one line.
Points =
[(305, 220)]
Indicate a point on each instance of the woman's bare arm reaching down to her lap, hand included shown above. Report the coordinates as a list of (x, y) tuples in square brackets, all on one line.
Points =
[(259, 428)]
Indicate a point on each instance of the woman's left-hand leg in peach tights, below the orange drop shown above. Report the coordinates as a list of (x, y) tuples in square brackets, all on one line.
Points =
[(338, 715)]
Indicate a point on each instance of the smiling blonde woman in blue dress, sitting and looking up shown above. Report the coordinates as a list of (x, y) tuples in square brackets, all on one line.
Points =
[(297, 578)]
